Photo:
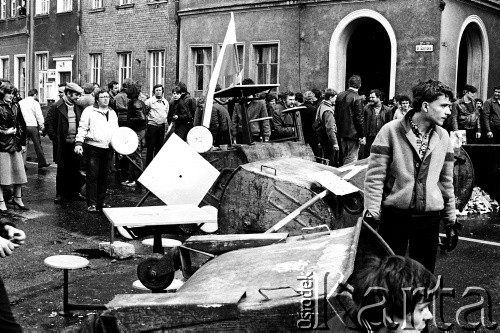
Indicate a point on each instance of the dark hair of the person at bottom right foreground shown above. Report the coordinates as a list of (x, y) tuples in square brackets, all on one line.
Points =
[(382, 280)]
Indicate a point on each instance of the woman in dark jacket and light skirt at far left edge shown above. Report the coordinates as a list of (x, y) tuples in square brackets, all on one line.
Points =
[(12, 144)]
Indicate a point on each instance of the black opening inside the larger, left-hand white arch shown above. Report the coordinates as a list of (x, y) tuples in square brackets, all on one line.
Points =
[(369, 55)]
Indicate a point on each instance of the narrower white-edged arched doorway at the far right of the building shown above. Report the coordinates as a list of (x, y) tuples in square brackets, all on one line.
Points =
[(473, 56)]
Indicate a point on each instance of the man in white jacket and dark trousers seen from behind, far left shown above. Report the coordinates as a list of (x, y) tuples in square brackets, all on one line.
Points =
[(32, 114)]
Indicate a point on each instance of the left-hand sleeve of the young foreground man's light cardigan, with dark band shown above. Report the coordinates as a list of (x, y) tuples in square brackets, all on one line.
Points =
[(376, 173)]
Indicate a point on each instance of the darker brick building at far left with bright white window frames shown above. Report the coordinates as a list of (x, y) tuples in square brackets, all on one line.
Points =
[(39, 50)]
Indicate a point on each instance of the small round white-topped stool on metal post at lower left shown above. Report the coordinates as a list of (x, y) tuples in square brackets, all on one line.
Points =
[(67, 262)]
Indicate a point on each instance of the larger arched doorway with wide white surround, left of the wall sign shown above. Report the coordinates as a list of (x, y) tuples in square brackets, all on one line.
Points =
[(363, 43)]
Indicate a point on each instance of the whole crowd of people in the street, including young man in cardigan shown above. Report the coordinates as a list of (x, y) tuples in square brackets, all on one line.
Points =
[(409, 179)]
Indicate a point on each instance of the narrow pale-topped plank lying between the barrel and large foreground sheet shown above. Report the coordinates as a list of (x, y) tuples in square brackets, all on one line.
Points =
[(217, 244)]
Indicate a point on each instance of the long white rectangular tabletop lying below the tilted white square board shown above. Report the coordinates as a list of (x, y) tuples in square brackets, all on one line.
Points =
[(158, 215)]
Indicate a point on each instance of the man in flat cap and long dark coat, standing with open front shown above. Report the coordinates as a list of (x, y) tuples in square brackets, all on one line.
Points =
[(61, 125)]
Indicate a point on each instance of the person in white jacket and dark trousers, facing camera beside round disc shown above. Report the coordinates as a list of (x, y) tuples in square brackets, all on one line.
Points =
[(96, 127)]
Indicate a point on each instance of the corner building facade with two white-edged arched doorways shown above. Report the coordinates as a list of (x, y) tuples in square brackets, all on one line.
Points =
[(301, 44)]
